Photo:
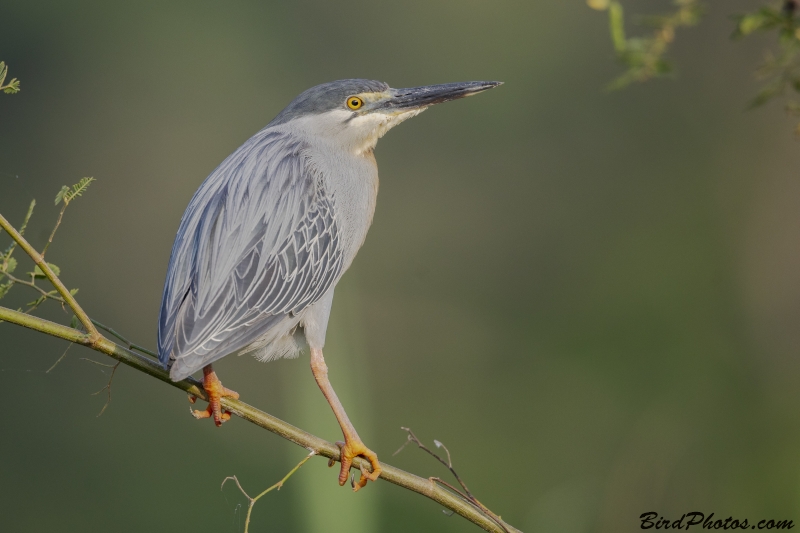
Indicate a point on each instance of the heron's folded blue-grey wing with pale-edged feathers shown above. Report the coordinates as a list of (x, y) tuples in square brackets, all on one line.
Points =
[(258, 242)]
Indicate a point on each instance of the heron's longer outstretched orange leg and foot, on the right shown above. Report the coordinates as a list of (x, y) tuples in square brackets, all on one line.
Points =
[(352, 446)]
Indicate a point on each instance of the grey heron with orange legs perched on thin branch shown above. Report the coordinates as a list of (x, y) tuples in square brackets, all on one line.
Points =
[(271, 231)]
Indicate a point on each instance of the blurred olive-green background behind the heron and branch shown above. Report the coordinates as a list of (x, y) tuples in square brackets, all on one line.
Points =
[(591, 298)]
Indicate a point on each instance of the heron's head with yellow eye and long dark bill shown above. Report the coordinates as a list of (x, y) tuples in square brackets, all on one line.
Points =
[(354, 114)]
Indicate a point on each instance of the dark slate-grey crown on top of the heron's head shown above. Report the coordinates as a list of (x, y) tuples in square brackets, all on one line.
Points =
[(326, 97)]
